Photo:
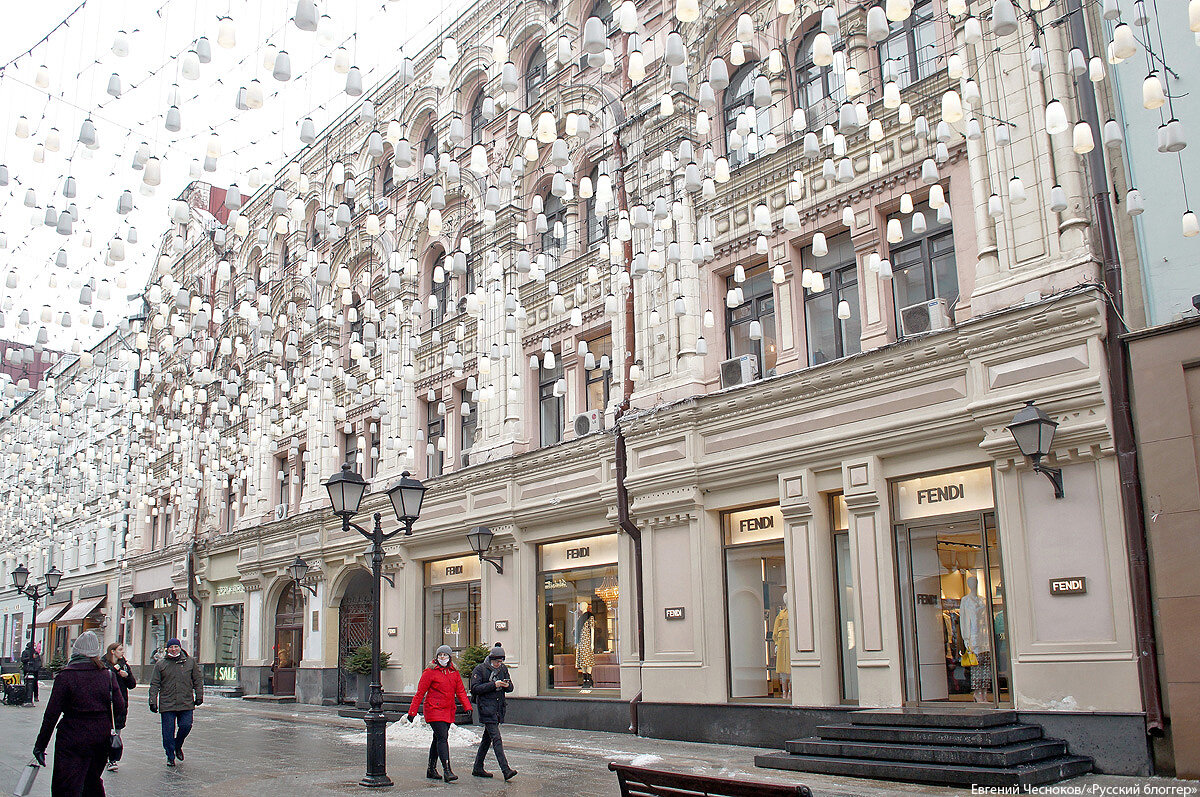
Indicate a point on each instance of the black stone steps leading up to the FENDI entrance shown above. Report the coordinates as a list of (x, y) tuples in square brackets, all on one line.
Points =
[(986, 748)]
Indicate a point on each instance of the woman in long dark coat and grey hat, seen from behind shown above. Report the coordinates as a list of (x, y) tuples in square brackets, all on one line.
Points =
[(88, 700)]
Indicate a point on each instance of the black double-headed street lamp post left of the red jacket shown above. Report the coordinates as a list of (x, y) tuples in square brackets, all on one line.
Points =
[(346, 490)]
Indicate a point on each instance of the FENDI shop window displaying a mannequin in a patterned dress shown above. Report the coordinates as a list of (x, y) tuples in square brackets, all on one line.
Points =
[(579, 616)]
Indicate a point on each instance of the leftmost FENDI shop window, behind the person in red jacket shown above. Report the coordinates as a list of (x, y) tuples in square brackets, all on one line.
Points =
[(452, 604)]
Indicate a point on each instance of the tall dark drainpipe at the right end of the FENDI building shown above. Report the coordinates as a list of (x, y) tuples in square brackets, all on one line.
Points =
[(1117, 357)]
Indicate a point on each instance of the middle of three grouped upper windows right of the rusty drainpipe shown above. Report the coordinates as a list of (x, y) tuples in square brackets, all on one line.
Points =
[(832, 315)]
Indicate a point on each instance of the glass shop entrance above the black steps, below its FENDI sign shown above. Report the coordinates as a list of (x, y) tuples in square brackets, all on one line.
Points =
[(953, 612)]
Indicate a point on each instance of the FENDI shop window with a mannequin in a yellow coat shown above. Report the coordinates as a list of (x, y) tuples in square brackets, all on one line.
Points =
[(757, 603)]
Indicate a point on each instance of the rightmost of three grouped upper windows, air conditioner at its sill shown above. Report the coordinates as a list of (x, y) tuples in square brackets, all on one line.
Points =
[(923, 266)]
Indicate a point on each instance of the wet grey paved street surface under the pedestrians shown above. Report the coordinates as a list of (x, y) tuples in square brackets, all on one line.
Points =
[(242, 748)]
